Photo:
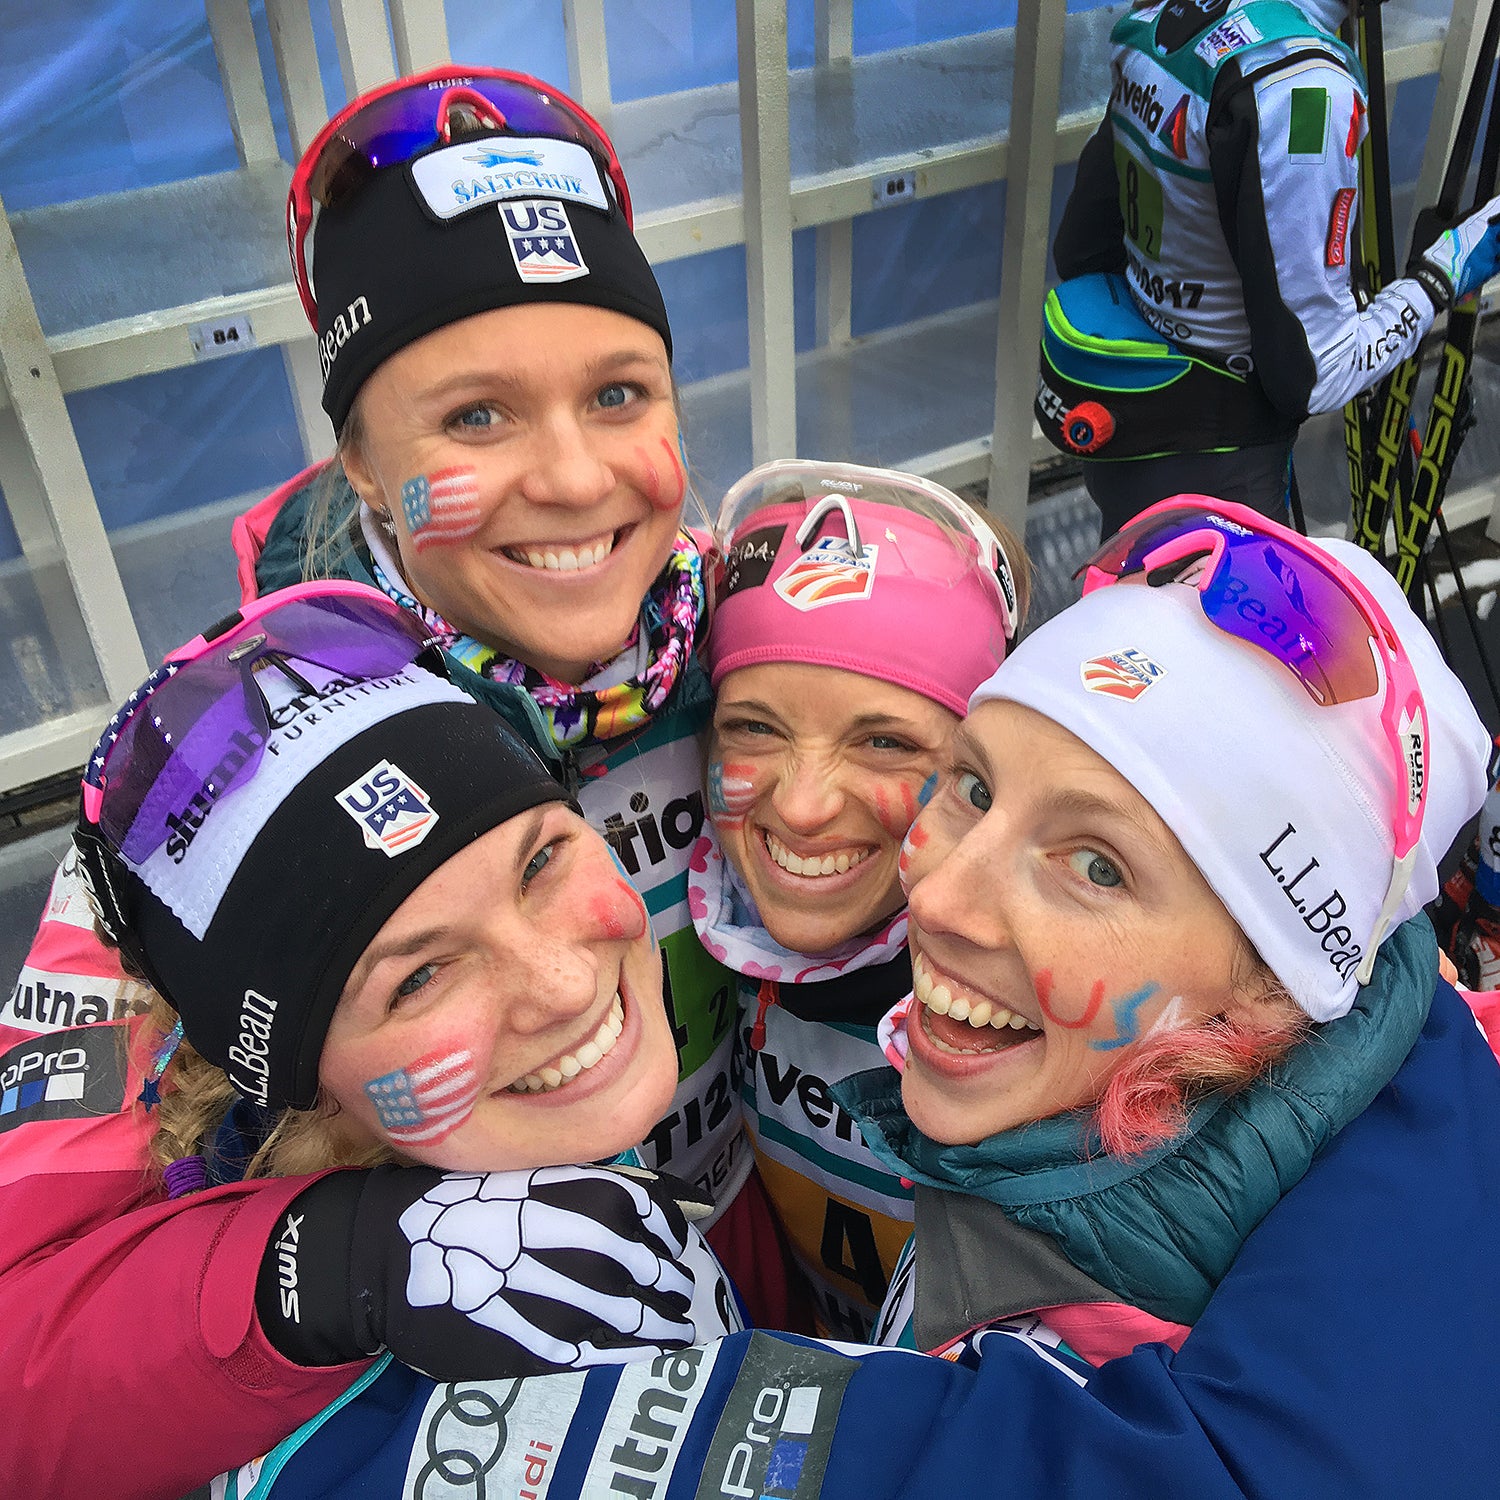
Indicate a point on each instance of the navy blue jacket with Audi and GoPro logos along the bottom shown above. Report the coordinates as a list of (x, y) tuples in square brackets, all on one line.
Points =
[(1348, 1354)]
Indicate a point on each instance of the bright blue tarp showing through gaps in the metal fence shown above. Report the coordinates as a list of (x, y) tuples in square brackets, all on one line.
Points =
[(107, 95)]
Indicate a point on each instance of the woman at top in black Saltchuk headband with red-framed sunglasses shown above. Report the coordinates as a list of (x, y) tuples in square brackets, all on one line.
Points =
[(499, 368)]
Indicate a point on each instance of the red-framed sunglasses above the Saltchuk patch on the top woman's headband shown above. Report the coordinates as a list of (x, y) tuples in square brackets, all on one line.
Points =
[(400, 121)]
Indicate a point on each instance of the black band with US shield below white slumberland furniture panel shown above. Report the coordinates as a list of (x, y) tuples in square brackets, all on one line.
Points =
[(259, 991)]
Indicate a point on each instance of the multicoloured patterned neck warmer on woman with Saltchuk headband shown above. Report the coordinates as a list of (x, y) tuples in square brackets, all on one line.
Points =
[(617, 697)]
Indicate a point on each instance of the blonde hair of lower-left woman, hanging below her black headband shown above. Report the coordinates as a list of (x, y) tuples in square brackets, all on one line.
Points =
[(197, 1096)]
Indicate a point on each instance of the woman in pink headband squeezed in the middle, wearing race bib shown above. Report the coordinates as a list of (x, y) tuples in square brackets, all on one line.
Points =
[(859, 611)]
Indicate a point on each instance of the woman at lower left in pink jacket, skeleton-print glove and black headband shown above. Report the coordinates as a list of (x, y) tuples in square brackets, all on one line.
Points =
[(380, 938)]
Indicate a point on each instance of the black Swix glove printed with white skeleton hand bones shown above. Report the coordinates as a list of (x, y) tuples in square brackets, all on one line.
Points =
[(479, 1276)]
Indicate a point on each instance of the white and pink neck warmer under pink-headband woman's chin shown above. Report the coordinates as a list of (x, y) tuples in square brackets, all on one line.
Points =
[(730, 928)]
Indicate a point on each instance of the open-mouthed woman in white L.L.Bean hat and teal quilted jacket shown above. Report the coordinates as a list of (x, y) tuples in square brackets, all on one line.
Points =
[(1168, 934)]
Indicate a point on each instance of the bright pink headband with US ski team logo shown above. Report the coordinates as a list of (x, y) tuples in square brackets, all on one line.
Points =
[(919, 608)]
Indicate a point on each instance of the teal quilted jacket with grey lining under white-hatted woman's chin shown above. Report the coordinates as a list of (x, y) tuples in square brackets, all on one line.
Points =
[(1015, 1219)]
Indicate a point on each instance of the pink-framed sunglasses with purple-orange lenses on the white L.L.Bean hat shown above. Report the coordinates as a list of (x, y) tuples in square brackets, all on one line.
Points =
[(1274, 590)]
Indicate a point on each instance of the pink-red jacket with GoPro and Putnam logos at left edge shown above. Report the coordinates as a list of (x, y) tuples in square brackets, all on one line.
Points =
[(130, 1342)]
